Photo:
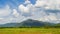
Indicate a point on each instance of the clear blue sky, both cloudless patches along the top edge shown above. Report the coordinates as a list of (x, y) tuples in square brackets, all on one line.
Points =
[(13, 3)]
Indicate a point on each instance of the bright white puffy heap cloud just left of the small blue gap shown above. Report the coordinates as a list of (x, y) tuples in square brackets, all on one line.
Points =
[(25, 9)]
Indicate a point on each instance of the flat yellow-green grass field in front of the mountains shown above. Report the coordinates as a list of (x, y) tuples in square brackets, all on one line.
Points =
[(30, 31)]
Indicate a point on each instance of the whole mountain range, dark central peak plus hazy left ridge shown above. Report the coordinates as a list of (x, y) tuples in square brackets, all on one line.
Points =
[(27, 23)]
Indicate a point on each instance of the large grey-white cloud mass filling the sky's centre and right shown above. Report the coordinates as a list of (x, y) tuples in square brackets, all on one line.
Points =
[(39, 10)]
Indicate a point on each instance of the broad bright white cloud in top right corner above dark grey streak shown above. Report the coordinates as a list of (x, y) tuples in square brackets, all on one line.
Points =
[(48, 4)]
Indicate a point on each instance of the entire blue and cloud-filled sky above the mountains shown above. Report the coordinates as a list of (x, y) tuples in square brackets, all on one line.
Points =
[(16, 11)]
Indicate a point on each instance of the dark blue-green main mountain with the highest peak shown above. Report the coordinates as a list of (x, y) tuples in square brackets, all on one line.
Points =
[(34, 23)]
